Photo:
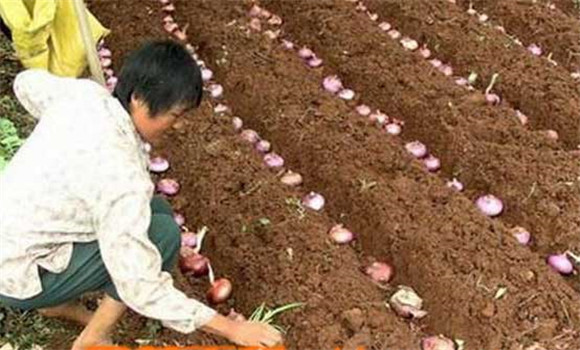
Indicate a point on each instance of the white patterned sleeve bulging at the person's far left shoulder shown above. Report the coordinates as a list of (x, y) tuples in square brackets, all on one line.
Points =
[(36, 89)]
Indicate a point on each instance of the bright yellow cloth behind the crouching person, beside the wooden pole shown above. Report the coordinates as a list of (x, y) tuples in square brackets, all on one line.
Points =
[(46, 34)]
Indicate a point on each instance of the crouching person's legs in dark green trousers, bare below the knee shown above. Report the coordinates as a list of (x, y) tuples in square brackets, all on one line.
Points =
[(86, 272)]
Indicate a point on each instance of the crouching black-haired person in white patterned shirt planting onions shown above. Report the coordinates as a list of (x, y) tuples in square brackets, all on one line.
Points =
[(77, 212)]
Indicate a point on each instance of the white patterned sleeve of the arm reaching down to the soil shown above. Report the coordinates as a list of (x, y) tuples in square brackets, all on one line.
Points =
[(134, 264)]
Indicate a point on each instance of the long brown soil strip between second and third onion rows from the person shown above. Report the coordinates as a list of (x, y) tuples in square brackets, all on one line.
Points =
[(437, 241)]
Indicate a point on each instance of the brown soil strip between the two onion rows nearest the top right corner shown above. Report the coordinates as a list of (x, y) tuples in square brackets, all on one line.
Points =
[(548, 95)]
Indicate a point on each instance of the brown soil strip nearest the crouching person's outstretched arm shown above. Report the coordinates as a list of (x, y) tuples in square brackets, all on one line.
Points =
[(264, 242)]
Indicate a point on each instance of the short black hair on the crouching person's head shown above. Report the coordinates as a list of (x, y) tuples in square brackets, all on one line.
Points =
[(163, 75)]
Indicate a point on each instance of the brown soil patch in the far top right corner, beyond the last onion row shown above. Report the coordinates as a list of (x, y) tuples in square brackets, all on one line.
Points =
[(535, 23)]
